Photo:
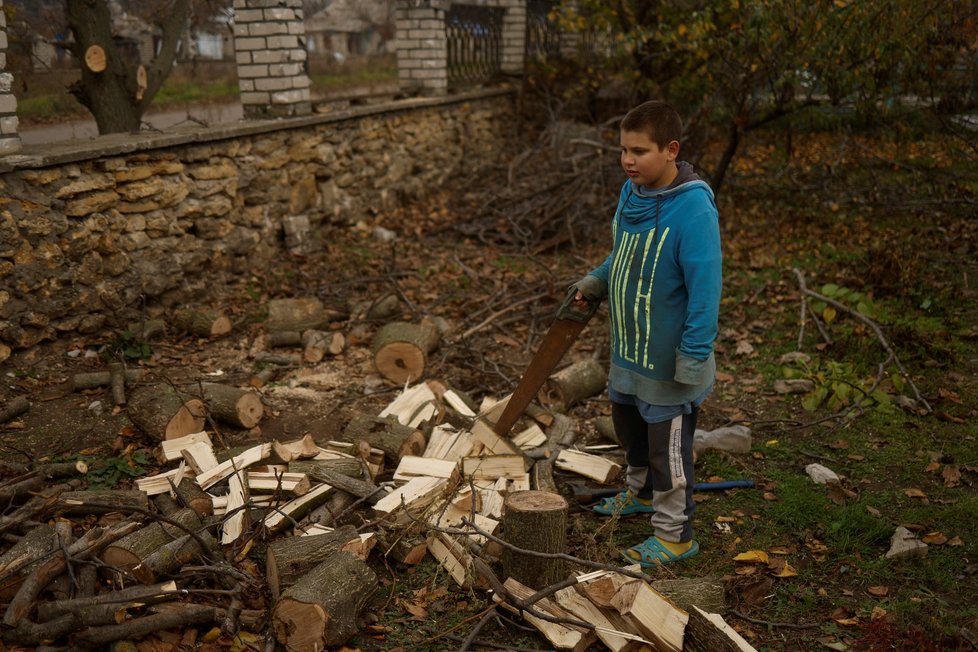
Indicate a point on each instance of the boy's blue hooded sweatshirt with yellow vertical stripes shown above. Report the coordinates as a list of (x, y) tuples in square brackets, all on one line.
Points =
[(663, 280)]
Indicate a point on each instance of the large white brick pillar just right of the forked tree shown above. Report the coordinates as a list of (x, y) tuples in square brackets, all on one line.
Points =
[(270, 50)]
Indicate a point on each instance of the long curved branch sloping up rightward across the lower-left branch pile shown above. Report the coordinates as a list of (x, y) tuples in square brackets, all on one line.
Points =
[(84, 548)]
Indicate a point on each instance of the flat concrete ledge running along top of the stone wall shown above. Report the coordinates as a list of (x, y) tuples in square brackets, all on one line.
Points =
[(72, 151)]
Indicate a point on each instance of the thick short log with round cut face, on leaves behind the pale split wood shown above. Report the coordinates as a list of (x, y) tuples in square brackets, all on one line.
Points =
[(400, 350)]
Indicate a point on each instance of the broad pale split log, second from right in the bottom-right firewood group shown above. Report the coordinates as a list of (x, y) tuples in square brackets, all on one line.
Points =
[(655, 616)]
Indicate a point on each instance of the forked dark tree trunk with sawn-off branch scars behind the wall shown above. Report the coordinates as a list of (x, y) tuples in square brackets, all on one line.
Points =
[(112, 94)]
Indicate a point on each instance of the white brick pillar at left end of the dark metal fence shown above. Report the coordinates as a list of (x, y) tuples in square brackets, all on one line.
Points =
[(422, 46)]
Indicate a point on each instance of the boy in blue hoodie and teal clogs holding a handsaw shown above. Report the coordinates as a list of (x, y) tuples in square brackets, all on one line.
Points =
[(663, 281)]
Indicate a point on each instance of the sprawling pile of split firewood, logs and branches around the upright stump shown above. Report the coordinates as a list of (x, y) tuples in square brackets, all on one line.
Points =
[(133, 563)]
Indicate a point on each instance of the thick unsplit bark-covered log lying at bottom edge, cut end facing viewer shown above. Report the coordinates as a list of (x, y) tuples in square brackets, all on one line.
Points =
[(322, 609)]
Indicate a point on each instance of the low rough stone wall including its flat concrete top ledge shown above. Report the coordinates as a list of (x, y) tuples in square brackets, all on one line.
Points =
[(93, 239)]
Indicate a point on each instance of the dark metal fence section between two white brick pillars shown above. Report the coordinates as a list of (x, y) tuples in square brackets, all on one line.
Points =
[(474, 44)]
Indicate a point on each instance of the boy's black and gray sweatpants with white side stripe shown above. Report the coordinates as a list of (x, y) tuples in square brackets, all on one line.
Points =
[(660, 467)]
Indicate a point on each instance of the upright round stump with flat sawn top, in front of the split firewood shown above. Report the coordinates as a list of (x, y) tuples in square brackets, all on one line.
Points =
[(535, 521)]
